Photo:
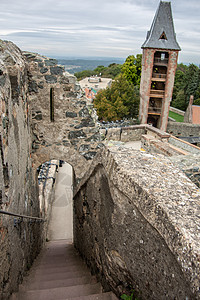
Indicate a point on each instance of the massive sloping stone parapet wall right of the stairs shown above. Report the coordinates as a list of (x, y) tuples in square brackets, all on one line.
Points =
[(136, 225)]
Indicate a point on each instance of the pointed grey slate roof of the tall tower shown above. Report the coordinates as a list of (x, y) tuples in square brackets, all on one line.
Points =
[(162, 34)]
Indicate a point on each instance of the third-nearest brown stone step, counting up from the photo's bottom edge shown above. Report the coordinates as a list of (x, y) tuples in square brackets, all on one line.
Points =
[(42, 285)]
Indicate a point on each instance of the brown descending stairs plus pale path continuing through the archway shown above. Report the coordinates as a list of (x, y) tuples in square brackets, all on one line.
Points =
[(59, 272)]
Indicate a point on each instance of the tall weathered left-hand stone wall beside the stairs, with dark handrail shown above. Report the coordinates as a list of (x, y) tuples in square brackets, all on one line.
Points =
[(20, 239)]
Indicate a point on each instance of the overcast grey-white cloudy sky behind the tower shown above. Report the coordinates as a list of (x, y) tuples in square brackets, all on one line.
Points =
[(106, 28)]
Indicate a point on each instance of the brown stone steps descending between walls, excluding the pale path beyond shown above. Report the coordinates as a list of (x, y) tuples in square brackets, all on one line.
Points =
[(60, 273)]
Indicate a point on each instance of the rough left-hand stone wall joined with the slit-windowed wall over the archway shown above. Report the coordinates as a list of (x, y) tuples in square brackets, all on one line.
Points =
[(42, 118)]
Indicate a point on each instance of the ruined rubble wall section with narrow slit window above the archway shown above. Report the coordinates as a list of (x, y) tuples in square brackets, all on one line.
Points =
[(72, 135)]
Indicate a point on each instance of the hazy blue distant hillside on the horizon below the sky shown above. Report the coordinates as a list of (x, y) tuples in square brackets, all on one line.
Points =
[(78, 65)]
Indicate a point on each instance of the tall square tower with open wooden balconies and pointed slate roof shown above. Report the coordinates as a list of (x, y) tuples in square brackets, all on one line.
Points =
[(159, 62)]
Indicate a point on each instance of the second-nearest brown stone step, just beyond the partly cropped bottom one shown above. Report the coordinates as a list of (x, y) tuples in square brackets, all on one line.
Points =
[(61, 292)]
